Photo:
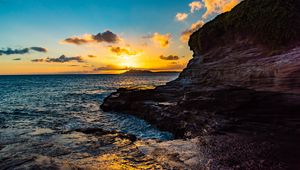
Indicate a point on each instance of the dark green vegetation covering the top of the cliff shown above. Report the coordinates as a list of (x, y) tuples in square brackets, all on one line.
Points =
[(272, 23)]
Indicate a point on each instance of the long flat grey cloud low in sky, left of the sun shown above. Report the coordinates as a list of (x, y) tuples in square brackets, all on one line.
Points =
[(61, 59)]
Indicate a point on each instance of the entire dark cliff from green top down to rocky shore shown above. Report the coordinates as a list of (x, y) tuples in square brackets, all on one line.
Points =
[(240, 94)]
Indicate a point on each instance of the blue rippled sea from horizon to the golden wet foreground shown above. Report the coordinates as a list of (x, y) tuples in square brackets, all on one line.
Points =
[(40, 111)]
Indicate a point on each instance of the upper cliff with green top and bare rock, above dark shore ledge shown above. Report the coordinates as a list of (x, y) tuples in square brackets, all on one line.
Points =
[(255, 46)]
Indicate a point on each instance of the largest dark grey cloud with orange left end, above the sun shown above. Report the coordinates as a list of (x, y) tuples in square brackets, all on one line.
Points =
[(107, 36)]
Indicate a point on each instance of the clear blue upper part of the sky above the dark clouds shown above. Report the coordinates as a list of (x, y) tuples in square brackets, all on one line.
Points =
[(35, 19)]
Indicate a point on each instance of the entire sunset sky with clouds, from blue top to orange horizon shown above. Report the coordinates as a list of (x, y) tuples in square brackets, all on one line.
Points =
[(100, 36)]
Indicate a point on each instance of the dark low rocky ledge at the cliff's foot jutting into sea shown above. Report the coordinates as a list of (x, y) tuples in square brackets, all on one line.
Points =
[(238, 127)]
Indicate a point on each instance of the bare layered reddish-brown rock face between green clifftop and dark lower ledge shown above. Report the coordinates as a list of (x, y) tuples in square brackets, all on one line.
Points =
[(245, 66)]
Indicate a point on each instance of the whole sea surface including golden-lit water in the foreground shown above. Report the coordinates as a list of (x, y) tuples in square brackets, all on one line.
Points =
[(43, 118)]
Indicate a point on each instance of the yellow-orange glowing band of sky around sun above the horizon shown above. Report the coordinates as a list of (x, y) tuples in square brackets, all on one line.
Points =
[(99, 59)]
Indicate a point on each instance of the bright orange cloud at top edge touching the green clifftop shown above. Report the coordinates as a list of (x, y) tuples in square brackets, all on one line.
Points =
[(218, 6)]
